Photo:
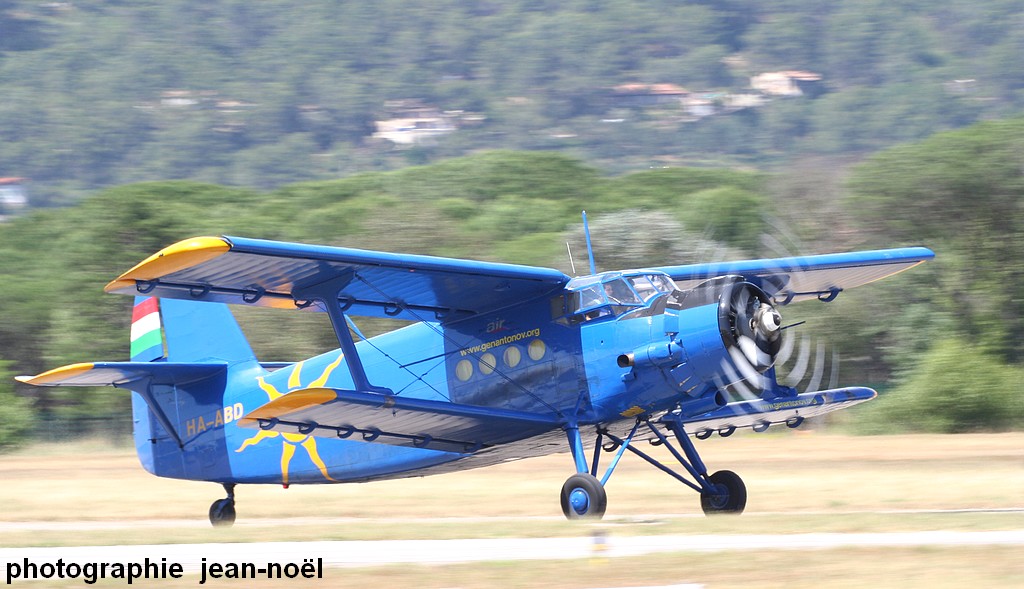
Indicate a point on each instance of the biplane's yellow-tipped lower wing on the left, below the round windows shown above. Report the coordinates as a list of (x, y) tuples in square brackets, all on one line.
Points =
[(397, 420)]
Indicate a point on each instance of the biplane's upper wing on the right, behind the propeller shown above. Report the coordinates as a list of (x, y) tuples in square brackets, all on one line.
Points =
[(803, 278)]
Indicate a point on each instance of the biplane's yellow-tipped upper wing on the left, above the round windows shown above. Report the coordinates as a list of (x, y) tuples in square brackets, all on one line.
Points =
[(374, 284)]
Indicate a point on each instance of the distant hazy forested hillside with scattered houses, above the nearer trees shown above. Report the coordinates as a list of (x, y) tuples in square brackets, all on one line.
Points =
[(97, 94)]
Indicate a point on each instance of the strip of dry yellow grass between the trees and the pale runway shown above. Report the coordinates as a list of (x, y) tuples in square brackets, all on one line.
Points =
[(789, 473)]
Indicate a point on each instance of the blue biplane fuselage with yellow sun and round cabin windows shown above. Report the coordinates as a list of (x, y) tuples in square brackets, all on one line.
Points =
[(559, 356)]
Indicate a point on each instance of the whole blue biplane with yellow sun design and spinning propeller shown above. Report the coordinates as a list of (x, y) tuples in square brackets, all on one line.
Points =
[(503, 362)]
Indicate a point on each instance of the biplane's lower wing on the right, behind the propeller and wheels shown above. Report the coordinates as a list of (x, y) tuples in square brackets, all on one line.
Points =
[(764, 413)]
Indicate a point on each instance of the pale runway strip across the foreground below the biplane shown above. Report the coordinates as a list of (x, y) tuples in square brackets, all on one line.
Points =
[(382, 553)]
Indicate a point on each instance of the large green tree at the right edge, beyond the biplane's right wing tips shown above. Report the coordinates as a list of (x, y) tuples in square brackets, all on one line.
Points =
[(963, 193)]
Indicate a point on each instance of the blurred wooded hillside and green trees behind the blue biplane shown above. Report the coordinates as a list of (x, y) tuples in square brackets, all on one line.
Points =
[(691, 132)]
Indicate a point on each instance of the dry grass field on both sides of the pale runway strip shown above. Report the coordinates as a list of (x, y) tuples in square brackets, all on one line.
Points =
[(797, 483)]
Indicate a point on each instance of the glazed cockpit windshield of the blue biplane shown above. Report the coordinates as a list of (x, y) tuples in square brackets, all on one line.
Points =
[(615, 293)]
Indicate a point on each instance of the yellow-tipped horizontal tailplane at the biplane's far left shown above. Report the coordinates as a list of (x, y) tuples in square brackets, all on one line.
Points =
[(122, 374)]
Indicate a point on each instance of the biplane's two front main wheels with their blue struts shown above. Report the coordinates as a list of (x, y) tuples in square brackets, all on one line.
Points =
[(584, 496)]
